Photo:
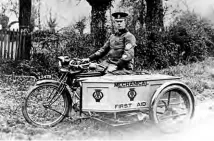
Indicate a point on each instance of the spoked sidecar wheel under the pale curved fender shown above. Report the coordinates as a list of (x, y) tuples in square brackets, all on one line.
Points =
[(161, 109)]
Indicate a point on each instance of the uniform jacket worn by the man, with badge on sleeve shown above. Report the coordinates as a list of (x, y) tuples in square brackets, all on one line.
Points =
[(116, 50)]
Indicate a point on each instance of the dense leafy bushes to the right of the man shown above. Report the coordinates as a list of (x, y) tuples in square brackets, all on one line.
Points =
[(188, 39)]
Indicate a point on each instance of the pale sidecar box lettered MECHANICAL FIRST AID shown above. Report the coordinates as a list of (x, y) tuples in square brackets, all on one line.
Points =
[(118, 93)]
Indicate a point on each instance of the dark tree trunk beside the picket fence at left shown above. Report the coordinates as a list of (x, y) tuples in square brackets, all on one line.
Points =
[(24, 26)]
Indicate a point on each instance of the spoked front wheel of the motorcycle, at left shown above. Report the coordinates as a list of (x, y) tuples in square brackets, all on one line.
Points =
[(37, 114)]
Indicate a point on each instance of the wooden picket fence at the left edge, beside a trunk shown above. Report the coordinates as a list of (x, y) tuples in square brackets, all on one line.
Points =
[(10, 45)]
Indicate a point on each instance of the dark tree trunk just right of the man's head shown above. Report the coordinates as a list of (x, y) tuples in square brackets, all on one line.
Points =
[(154, 15)]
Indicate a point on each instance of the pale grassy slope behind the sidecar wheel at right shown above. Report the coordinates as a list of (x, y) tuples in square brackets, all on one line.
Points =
[(198, 76)]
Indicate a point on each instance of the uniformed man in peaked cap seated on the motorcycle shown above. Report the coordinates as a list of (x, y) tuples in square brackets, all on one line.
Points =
[(119, 48)]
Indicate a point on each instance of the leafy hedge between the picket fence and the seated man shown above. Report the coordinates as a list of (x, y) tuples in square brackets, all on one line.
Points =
[(47, 46)]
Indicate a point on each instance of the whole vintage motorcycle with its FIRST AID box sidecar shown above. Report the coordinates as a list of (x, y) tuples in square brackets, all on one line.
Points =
[(113, 99)]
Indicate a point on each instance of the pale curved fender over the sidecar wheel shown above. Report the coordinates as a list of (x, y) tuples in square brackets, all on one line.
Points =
[(170, 83)]
